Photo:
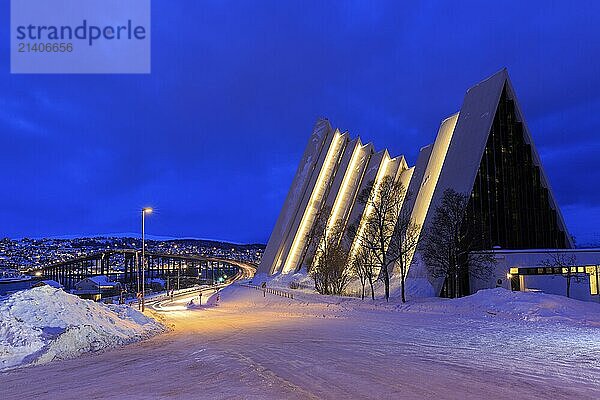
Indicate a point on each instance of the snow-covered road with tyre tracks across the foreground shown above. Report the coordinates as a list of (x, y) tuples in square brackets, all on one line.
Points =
[(251, 347)]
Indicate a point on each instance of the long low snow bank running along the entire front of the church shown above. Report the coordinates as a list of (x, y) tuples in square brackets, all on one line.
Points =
[(489, 303)]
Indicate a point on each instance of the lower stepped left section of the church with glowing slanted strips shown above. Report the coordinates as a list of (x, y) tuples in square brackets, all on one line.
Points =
[(333, 171)]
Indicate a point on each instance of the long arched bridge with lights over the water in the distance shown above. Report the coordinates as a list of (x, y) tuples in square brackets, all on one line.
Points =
[(123, 265)]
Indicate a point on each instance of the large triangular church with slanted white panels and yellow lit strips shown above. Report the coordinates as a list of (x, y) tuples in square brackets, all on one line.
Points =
[(484, 150)]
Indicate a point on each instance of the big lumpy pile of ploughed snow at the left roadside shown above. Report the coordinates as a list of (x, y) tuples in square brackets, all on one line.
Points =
[(44, 323)]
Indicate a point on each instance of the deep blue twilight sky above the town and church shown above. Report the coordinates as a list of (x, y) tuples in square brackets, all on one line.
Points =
[(213, 136)]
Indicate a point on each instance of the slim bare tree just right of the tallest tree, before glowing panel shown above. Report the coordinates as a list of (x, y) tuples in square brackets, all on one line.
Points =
[(403, 245)]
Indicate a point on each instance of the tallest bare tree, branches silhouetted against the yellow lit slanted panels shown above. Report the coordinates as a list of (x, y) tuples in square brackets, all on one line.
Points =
[(383, 204)]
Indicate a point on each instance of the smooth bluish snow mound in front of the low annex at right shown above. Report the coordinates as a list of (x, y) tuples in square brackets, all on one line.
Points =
[(527, 306)]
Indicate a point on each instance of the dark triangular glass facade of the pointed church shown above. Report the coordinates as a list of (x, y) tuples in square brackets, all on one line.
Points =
[(509, 199)]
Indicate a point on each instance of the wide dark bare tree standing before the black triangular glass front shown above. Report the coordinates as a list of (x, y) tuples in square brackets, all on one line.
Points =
[(452, 245)]
